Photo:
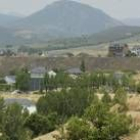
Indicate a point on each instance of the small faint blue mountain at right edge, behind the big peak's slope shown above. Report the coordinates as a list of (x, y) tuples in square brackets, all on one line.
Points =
[(132, 21)]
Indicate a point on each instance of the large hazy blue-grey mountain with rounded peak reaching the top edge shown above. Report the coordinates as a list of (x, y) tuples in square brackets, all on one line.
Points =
[(67, 18)]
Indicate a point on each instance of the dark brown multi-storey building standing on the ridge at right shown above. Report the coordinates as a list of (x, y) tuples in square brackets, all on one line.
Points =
[(118, 50)]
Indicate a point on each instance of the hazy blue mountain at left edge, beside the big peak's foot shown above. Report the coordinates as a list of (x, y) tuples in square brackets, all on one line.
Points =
[(6, 19)]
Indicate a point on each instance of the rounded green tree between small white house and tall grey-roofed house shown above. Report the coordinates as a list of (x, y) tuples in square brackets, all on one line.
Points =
[(22, 80)]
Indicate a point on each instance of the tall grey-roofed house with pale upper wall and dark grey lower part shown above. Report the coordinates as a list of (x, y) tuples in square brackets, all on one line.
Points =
[(37, 78)]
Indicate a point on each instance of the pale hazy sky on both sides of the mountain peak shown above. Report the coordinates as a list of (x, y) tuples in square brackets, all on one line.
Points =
[(116, 8)]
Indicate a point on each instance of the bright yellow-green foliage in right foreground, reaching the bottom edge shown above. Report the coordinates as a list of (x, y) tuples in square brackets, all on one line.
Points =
[(99, 124)]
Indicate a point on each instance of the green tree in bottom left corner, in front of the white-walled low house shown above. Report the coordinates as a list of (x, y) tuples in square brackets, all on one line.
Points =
[(13, 124)]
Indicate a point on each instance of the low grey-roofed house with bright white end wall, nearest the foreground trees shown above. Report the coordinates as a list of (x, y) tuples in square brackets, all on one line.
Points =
[(25, 103)]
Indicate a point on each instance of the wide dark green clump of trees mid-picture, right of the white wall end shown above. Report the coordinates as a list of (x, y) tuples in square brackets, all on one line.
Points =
[(66, 102)]
